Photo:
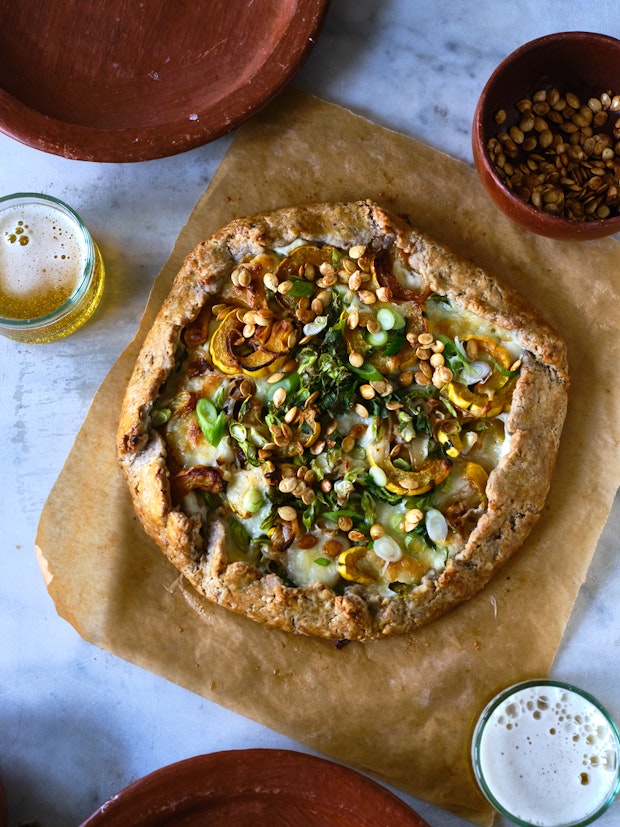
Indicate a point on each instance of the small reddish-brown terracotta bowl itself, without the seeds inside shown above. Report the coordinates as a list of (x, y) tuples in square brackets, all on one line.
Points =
[(582, 63)]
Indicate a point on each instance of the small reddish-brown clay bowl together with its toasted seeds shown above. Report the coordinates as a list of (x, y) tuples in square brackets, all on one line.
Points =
[(546, 136)]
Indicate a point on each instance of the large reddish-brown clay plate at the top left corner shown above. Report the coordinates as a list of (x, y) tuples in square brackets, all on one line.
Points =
[(108, 80)]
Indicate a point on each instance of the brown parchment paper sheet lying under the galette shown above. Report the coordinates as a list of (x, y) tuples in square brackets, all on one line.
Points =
[(400, 709)]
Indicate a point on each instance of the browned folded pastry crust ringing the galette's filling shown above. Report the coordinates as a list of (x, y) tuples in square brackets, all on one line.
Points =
[(515, 489)]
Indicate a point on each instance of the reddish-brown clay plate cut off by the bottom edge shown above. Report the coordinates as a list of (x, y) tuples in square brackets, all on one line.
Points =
[(249, 788)]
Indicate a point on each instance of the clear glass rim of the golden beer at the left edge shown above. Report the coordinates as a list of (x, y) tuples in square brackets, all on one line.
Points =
[(68, 305)]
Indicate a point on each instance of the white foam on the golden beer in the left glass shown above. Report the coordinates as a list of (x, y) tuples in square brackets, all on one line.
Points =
[(41, 251)]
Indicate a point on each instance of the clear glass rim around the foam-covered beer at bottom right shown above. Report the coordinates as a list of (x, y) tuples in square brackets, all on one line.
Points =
[(484, 718)]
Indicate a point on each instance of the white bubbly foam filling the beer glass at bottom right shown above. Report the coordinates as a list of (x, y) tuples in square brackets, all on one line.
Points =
[(549, 756)]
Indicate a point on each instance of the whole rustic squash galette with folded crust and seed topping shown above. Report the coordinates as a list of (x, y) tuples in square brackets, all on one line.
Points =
[(336, 426)]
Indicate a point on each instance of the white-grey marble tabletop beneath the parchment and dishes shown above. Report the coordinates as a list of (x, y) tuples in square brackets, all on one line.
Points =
[(77, 724)]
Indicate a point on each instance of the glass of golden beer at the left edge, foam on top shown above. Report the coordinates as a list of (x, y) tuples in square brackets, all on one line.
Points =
[(51, 271)]
